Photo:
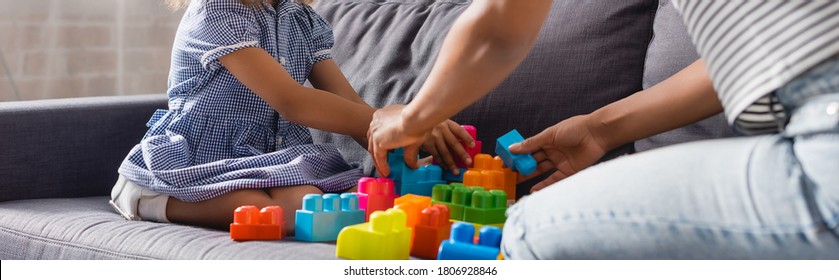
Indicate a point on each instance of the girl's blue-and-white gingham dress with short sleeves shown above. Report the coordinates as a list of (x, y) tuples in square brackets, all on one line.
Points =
[(218, 136)]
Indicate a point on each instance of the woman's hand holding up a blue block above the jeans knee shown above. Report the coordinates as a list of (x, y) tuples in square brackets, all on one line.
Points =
[(567, 147)]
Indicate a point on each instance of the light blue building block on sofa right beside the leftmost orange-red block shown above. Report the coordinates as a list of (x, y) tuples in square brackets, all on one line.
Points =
[(323, 216)]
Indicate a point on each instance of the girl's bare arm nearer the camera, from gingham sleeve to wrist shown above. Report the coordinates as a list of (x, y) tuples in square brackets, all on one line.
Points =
[(314, 108)]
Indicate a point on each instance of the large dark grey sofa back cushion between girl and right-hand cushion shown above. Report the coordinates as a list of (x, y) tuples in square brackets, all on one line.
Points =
[(589, 53)]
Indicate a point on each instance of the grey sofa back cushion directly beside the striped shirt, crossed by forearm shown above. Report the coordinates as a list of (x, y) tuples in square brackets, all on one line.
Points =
[(671, 50)]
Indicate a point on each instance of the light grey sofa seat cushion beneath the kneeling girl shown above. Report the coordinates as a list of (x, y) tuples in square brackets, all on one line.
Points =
[(87, 228)]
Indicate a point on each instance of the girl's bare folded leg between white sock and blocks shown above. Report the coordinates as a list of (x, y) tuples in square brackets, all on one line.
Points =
[(218, 212)]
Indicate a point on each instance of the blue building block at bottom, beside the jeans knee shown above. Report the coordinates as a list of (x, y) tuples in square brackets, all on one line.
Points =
[(461, 245)]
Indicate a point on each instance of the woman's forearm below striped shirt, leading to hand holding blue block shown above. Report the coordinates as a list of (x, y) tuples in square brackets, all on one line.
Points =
[(684, 98)]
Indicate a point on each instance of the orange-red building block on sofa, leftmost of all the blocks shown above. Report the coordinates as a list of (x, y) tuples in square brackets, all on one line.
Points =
[(250, 223)]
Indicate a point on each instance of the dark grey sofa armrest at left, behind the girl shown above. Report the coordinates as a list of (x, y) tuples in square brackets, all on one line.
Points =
[(68, 147)]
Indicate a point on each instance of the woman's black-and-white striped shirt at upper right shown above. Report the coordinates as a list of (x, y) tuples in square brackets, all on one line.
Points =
[(753, 47)]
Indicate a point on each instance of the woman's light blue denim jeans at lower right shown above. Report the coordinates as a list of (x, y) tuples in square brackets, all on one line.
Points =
[(761, 197)]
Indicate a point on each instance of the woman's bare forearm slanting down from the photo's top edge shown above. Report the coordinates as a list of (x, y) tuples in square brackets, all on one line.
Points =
[(485, 44)]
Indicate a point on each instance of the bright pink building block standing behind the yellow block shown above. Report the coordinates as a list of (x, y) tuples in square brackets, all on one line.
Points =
[(375, 194)]
